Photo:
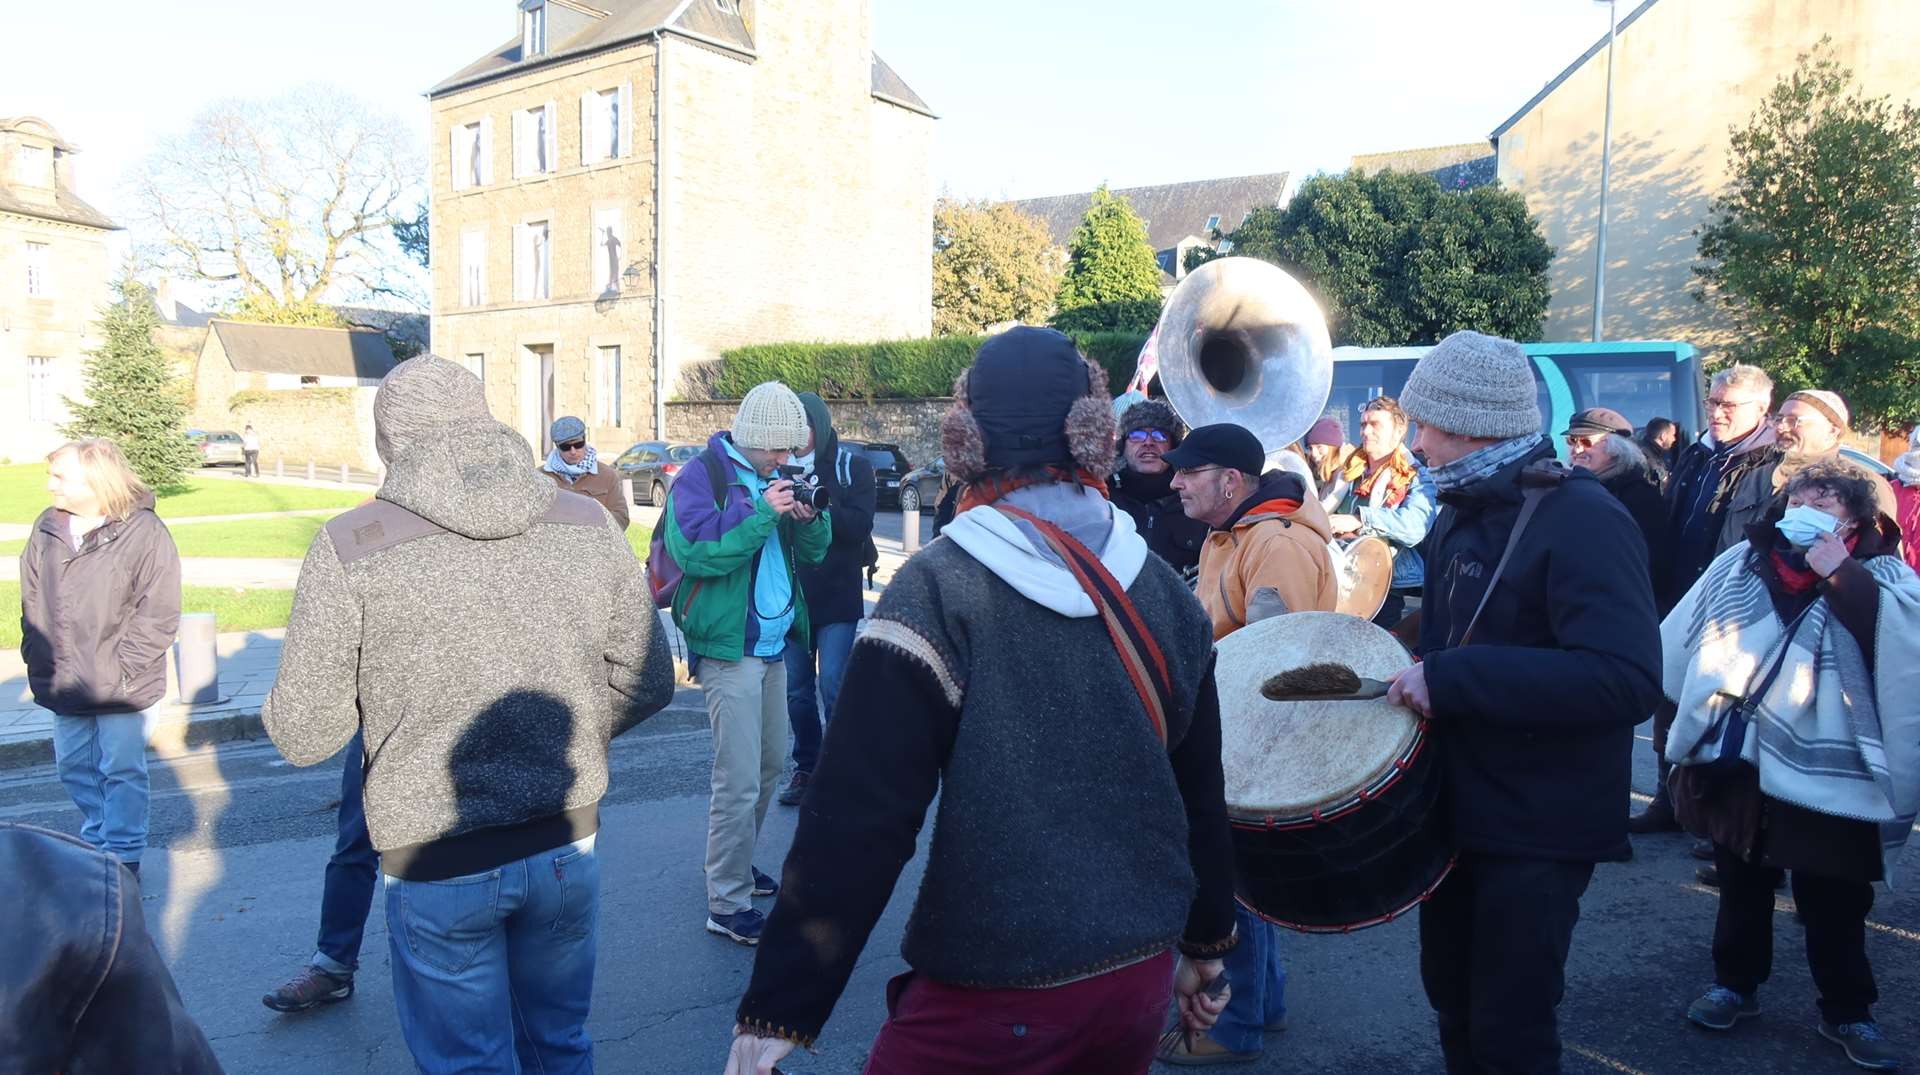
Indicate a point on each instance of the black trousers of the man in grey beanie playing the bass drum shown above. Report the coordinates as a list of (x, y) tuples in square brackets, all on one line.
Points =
[(1495, 944)]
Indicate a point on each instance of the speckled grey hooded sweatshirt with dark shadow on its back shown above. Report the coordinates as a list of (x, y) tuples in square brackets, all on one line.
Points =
[(487, 633)]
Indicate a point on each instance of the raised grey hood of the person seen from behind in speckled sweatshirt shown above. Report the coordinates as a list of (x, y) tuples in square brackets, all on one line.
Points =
[(448, 460)]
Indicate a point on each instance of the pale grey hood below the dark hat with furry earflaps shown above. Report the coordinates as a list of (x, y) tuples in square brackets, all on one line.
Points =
[(1015, 552)]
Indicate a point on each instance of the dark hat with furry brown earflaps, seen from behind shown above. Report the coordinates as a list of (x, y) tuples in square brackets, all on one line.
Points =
[(1028, 400)]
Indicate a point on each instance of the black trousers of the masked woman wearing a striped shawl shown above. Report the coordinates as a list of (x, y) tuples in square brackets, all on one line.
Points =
[(1835, 913)]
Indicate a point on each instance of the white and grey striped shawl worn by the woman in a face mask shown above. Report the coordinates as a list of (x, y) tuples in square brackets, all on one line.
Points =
[(1829, 734)]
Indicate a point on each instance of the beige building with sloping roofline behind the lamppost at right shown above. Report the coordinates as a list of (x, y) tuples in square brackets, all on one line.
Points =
[(1685, 74)]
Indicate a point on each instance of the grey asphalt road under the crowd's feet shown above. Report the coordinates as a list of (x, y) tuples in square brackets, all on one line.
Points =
[(241, 840)]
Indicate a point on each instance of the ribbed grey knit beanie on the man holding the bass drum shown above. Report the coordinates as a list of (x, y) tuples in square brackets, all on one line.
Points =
[(1477, 387)]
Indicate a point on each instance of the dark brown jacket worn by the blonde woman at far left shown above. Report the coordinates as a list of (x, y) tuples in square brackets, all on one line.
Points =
[(97, 625)]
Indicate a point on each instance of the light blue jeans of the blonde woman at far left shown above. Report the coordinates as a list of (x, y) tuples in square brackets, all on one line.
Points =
[(103, 763)]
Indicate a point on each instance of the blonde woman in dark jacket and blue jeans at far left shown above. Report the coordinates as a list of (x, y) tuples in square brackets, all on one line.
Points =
[(101, 604)]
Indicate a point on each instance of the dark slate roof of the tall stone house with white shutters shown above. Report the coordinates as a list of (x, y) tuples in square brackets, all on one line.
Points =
[(633, 20)]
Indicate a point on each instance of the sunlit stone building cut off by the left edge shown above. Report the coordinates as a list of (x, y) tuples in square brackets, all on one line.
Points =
[(55, 272)]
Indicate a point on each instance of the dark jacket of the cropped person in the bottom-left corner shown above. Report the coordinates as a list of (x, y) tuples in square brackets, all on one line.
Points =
[(84, 991)]
